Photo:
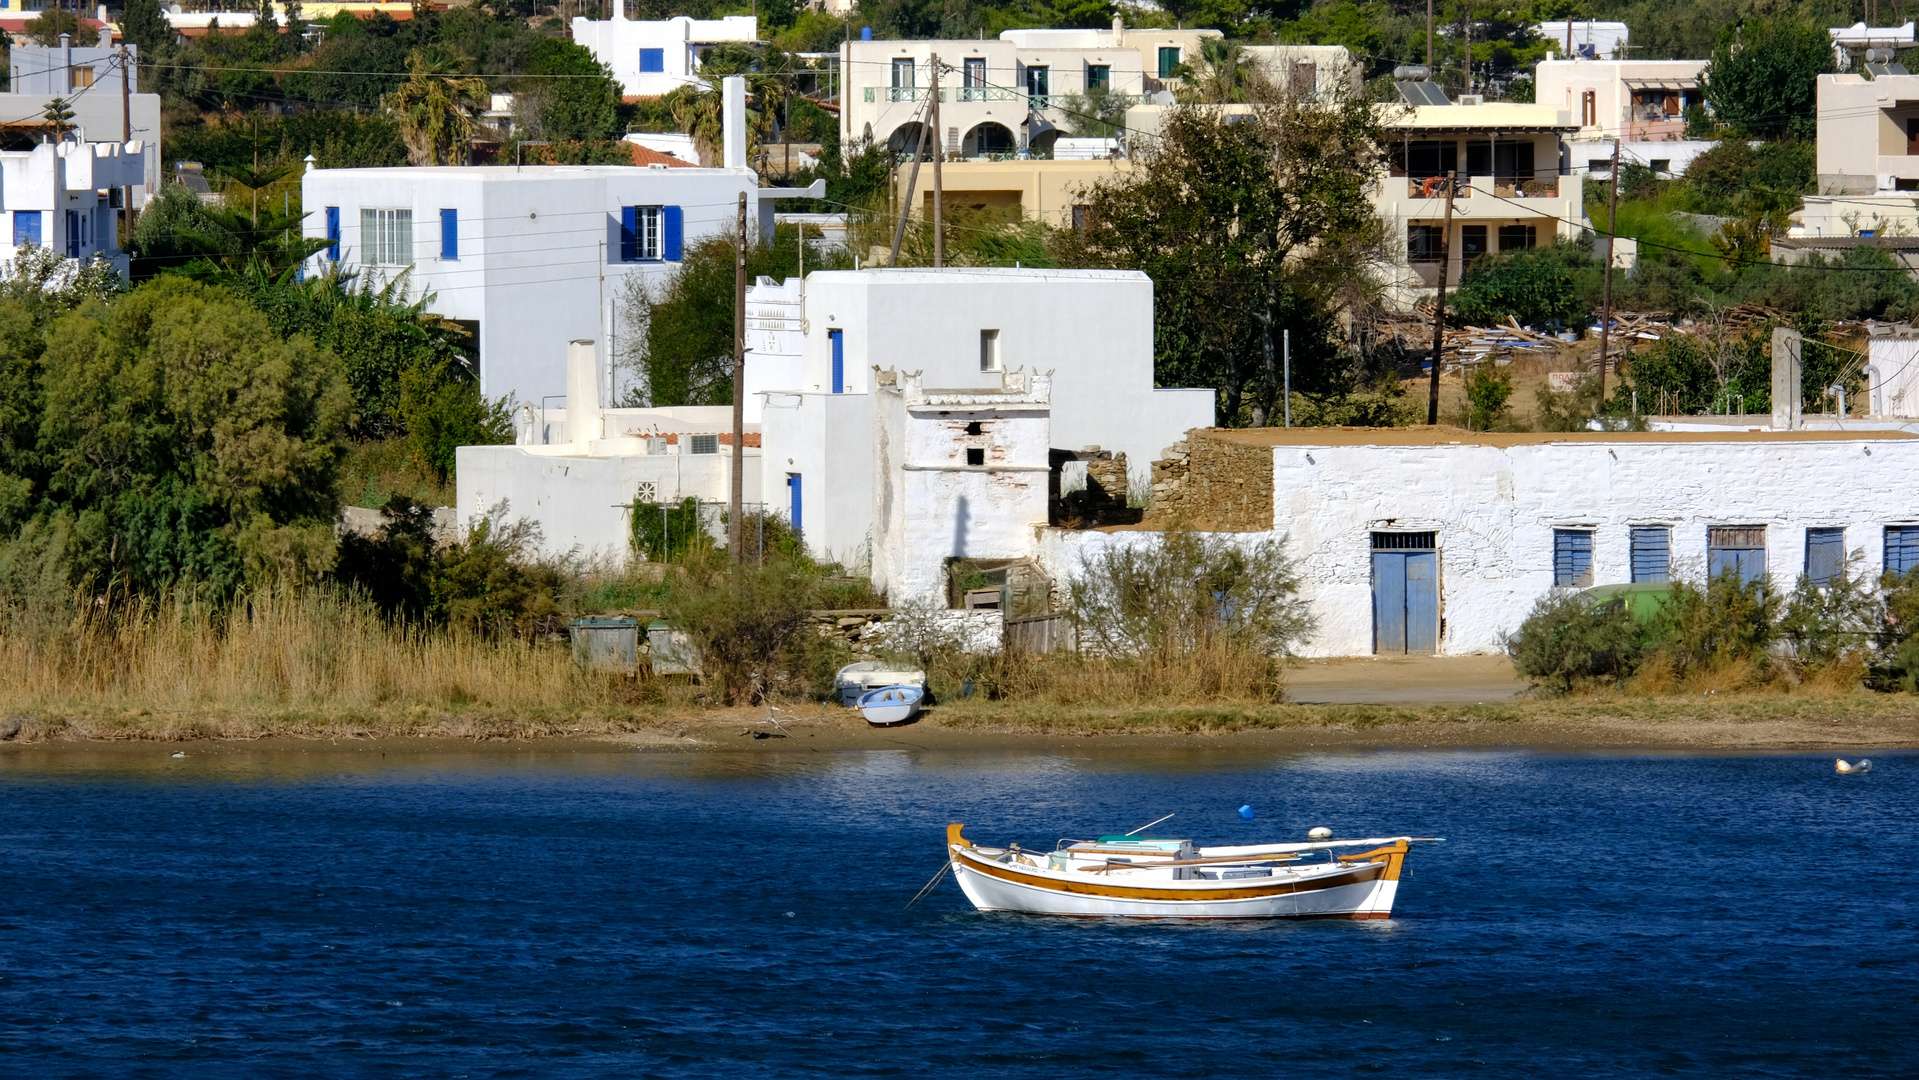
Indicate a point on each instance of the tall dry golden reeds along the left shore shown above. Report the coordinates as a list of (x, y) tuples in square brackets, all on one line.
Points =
[(298, 665)]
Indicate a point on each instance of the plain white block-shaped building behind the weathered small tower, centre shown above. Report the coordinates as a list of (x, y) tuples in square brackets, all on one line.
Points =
[(1089, 331)]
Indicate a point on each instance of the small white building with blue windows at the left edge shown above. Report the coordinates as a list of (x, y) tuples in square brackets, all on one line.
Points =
[(66, 197)]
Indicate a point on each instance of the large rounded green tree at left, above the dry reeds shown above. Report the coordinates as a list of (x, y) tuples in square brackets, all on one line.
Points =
[(187, 442)]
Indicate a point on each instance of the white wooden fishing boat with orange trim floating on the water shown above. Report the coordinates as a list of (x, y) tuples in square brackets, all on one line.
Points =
[(1172, 880)]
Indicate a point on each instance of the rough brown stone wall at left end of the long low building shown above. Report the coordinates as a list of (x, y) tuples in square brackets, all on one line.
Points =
[(1214, 482)]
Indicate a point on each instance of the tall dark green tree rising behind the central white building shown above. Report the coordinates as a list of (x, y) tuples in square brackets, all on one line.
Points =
[(1248, 229)]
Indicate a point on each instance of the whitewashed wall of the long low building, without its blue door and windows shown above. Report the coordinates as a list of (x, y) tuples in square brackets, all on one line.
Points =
[(1496, 507)]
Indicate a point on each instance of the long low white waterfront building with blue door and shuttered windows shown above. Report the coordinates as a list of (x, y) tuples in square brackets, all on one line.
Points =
[(1442, 542)]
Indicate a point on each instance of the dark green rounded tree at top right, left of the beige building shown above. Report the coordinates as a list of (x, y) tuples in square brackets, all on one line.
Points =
[(1763, 78)]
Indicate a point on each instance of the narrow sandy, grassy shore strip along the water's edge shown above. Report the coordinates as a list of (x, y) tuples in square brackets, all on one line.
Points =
[(1843, 724)]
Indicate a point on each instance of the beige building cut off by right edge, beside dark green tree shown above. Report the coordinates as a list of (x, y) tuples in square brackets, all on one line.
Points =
[(1868, 131)]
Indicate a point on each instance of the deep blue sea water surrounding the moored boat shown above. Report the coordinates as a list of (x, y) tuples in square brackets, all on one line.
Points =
[(540, 914)]
